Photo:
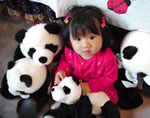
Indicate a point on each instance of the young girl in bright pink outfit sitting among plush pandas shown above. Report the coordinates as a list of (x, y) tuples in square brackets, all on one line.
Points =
[(86, 53)]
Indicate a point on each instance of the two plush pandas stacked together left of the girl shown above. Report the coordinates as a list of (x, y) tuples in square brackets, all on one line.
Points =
[(27, 76)]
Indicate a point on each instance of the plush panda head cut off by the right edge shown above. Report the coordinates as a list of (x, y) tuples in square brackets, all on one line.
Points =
[(135, 52)]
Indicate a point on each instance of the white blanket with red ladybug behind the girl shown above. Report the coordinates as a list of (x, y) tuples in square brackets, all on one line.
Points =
[(136, 16)]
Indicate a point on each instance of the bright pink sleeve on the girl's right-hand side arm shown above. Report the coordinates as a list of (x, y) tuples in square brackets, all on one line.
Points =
[(108, 78)]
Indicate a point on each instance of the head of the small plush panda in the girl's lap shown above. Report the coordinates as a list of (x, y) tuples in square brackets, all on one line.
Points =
[(68, 91)]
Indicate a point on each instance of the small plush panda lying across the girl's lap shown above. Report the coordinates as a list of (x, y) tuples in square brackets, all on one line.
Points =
[(70, 103)]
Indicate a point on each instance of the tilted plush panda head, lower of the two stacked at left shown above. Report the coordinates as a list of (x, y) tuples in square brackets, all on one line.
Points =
[(25, 77)]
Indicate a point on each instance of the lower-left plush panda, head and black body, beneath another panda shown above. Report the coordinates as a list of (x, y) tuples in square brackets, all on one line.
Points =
[(29, 81)]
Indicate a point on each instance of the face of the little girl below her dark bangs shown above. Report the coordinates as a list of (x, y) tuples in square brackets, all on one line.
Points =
[(88, 45)]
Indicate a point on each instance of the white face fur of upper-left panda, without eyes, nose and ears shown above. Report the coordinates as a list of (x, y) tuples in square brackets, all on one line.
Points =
[(37, 37)]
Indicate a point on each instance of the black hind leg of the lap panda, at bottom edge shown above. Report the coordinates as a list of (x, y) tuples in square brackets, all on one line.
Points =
[(109, 110)]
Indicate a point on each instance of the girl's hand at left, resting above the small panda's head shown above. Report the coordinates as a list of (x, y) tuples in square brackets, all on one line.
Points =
[(59, 76)]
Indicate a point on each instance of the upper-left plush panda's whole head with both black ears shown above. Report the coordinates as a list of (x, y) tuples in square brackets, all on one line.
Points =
[(41, 42)]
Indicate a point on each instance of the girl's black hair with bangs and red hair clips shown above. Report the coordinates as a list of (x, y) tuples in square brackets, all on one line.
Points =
[(82, 18)]
